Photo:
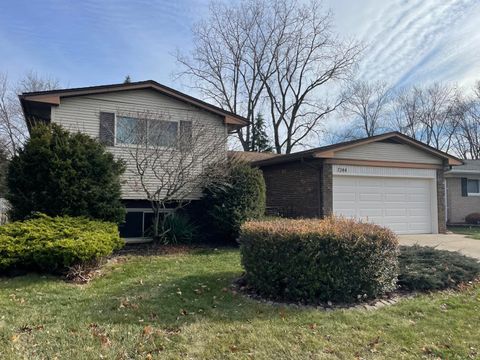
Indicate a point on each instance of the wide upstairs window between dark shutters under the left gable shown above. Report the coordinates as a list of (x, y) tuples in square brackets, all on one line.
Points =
[(148, 132)]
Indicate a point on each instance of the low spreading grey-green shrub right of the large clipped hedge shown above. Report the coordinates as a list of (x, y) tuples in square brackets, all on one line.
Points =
[(428, 269)]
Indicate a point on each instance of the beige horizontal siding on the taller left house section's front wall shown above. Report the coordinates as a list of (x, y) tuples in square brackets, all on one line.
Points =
[(82, 113)]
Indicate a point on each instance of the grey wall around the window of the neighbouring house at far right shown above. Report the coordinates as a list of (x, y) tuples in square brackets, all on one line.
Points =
[(459, 206)]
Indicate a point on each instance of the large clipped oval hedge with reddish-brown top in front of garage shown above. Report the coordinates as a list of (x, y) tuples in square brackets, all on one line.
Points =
[(313, 261)]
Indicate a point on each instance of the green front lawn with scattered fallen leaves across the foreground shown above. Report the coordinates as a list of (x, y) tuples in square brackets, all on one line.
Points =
[(180, 306)]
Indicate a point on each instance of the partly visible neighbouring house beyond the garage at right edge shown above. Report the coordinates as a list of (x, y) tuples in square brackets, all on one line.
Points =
[(463, 191)]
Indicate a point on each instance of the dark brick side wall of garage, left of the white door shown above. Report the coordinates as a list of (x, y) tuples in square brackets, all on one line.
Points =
[(293, 189)]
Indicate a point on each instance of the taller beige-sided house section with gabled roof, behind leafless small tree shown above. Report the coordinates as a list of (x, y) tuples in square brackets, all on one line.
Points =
[(106, 112)]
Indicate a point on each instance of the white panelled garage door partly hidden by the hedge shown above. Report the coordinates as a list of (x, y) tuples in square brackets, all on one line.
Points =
[(401, 204)]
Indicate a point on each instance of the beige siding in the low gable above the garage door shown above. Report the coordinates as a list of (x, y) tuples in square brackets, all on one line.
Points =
[(384, 151)]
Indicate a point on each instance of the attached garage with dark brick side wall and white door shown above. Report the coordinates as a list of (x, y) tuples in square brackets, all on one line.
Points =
[(389, 179)]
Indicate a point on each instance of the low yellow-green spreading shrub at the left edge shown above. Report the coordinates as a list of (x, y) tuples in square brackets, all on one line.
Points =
[(53, 244)]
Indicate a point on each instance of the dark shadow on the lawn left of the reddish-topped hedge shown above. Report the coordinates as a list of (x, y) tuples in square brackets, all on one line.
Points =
[(174, 303)]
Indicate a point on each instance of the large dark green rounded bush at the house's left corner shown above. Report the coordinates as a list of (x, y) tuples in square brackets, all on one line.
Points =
[(58, 173)]
